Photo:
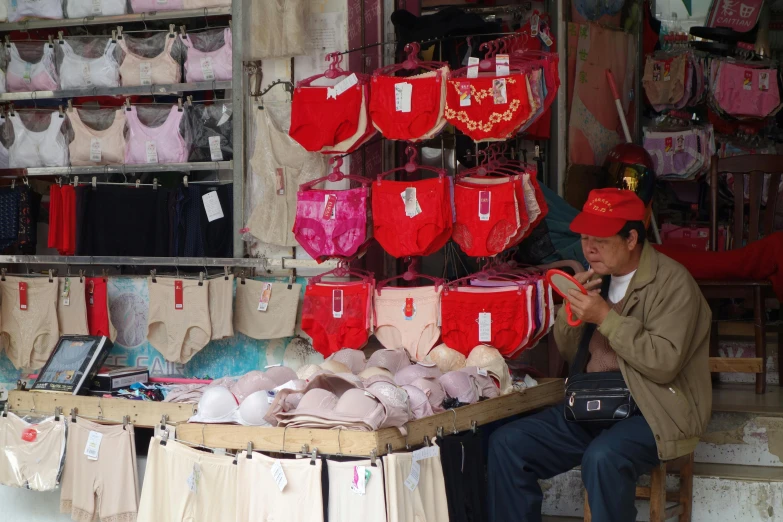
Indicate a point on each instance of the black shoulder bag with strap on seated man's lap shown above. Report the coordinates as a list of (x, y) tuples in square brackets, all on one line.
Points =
[(596, 397)]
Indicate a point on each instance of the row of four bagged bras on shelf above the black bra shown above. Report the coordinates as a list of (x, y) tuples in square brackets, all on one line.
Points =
[(115, 63)]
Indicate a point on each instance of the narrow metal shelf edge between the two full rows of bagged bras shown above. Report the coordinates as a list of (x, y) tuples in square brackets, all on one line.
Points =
[(142, 90)]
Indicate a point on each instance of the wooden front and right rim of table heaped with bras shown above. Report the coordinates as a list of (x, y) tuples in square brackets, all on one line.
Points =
[(359, 443)]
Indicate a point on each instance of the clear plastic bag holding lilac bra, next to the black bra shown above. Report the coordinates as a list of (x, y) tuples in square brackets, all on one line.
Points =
[(157, 134)]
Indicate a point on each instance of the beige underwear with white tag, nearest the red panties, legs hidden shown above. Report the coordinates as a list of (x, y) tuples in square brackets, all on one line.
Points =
[(278, 321)]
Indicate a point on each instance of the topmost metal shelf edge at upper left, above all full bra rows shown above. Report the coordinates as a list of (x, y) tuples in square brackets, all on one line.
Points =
[(119, 19)]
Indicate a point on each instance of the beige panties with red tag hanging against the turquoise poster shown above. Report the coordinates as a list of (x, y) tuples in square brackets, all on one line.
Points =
[(178, 333)]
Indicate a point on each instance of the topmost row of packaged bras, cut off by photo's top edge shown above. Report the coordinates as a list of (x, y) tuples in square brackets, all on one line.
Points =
[(53, 9)]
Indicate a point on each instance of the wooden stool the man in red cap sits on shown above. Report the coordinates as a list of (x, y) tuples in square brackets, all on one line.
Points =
[(658, 496)]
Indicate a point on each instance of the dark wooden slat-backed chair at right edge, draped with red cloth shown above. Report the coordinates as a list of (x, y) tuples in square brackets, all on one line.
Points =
[(760, 224)]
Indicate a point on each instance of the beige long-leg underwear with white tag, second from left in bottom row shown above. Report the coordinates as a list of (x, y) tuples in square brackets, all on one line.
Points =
[(109, 485)]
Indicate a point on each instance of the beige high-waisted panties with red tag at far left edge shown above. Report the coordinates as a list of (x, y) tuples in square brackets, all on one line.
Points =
[(29, 336)]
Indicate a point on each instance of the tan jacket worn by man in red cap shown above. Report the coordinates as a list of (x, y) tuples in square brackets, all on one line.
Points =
[(661, 337)]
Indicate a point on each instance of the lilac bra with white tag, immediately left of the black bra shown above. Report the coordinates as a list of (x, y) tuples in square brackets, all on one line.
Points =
[(162, 144)]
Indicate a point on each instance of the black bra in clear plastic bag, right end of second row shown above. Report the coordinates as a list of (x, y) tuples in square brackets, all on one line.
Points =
[(211, 132)]
